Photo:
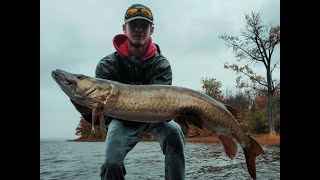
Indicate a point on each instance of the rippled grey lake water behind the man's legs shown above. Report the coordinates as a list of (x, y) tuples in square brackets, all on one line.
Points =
[(82, 160)]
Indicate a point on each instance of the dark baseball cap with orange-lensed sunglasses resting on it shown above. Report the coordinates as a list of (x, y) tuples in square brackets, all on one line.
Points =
[(138, 11)]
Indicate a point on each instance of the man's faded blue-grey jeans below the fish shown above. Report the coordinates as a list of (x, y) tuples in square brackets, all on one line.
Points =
[(121, 138)]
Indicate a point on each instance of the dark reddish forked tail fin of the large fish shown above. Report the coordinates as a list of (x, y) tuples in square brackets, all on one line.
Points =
[(251, 153)]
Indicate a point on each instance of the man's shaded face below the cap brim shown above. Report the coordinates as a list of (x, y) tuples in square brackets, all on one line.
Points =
[(138, 32)]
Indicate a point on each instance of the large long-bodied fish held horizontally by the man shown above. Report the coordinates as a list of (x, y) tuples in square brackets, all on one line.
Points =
[(156, 103)]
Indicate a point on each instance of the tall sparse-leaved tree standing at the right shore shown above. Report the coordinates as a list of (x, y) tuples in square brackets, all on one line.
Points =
[(255, 45)]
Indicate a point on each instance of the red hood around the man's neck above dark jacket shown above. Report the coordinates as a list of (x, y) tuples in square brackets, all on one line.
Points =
[(120, 42)]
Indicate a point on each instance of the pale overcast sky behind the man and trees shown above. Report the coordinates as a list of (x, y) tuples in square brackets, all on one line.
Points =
[(76, 34)]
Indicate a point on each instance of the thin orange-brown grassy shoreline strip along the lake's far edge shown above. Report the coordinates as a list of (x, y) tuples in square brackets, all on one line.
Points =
[(265, 139)]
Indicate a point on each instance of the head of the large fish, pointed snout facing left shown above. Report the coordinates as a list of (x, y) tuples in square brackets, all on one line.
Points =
[(84, 90)]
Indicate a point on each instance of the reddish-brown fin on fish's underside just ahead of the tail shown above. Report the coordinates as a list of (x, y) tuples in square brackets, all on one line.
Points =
[(229, 145)]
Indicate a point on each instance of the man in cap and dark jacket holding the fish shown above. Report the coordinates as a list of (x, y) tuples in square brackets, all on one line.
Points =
[(138, 60)]
